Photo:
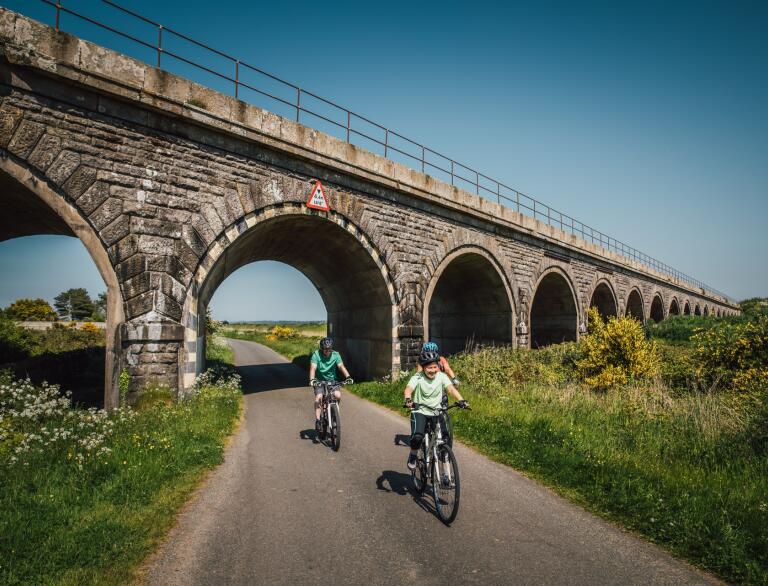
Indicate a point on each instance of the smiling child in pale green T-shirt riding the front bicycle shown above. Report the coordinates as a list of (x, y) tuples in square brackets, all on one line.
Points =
[(426, 388)]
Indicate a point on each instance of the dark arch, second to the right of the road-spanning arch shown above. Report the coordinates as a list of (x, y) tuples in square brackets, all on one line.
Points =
[(554, 315)]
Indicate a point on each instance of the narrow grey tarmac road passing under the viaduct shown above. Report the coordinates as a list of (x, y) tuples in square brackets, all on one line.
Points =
[(282, 509)]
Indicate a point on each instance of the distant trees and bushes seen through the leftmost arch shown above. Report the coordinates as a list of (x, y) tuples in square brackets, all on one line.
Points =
[(70, 305)]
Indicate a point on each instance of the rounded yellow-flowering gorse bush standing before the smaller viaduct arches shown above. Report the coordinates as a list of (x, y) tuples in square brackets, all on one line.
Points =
[(615, 352)]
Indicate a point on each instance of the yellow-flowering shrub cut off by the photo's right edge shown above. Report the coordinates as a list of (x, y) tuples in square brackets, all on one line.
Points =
[(734, 355)]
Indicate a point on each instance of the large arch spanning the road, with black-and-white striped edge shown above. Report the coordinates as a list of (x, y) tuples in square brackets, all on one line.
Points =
[(351, 276)]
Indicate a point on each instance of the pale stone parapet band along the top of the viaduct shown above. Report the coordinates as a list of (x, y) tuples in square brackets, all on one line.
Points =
[(27, 42)]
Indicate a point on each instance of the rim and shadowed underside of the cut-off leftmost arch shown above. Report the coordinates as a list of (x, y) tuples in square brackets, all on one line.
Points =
[(31, 206)]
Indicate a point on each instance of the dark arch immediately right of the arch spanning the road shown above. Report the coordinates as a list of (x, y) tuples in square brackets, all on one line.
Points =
[(469, 301)]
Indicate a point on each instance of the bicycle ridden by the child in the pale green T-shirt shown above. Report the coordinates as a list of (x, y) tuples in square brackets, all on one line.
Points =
[(436, 466)]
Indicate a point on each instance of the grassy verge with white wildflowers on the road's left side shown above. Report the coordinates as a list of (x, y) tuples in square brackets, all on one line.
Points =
[(85, 496)]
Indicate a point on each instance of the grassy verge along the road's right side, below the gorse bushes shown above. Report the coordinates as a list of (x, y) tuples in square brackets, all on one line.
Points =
[(686, 470)]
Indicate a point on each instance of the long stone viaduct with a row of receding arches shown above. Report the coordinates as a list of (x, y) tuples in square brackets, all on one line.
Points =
[(170, 198)]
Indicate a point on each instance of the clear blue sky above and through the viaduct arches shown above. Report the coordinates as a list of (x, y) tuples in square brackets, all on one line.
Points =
[(648, 121)]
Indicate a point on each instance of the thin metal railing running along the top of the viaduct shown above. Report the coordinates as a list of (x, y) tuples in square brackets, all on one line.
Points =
[(307, 107)]
